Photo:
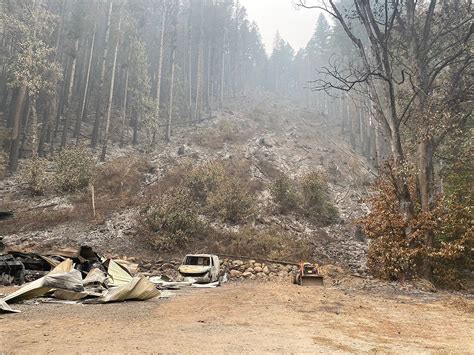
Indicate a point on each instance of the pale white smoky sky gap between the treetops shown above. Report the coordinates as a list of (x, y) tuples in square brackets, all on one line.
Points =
[(296, 25)]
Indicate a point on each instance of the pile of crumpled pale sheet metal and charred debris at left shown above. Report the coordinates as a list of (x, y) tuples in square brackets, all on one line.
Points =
[(77, 275)]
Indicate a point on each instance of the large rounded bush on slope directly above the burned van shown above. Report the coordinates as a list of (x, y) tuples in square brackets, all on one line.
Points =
[(173, 218)]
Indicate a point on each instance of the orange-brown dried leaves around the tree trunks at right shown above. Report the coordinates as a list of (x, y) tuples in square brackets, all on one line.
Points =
[(399, 244)]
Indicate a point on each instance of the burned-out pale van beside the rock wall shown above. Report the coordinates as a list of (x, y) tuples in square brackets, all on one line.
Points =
[(204, 268)]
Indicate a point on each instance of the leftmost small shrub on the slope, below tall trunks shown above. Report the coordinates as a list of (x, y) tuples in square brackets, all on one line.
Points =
[(33, 175)]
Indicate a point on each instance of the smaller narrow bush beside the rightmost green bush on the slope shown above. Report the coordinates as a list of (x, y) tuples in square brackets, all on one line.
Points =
[(285, 193)]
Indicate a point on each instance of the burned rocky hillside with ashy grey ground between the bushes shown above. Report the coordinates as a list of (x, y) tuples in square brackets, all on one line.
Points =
[(271, 136)]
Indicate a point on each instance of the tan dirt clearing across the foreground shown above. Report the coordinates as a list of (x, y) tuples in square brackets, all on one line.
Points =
[(247, 317)]
